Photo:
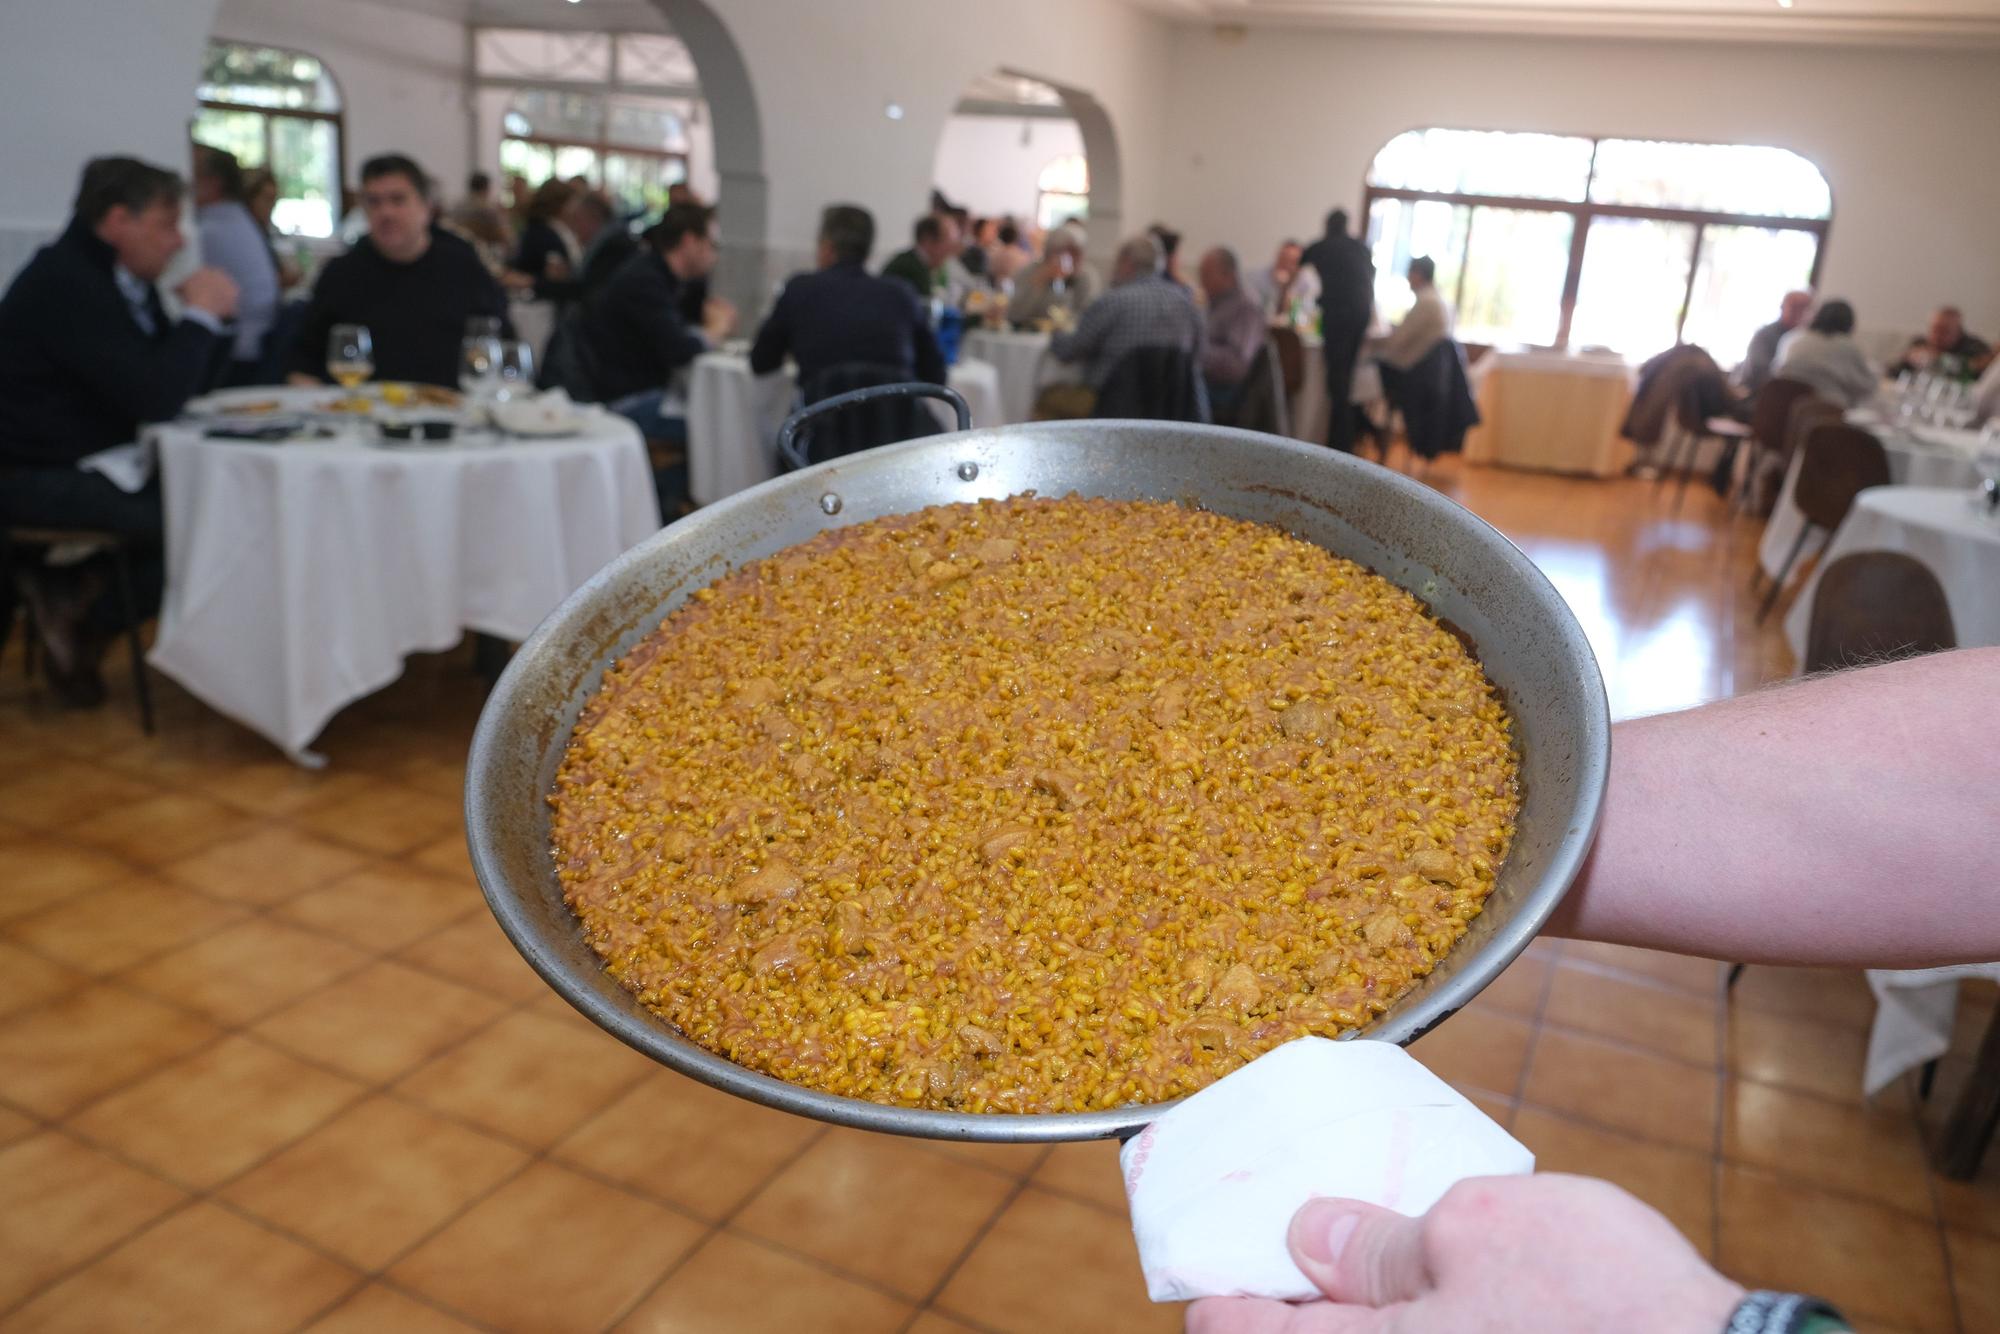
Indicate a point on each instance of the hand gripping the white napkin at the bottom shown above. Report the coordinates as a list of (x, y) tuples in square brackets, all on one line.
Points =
[(1545, 1255)]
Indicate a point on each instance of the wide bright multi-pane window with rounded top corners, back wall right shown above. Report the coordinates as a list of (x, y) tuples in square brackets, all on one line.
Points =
[(1597, 243)]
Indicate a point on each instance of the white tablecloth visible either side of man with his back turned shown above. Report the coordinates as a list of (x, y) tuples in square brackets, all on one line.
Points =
[(735, 419)]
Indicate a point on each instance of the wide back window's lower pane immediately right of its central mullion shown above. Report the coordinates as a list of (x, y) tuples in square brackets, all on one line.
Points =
[(1633, 287)]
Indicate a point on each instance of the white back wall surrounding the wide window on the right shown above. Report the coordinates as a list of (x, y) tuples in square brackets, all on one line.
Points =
[(1287, 123)]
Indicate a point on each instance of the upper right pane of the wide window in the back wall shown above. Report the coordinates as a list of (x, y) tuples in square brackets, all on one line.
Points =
[(1739, 179)]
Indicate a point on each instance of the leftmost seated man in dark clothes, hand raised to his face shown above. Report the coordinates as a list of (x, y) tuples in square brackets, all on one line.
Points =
[(87, 357)]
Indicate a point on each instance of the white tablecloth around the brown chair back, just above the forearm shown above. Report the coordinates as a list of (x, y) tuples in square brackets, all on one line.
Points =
[(1941, 529)]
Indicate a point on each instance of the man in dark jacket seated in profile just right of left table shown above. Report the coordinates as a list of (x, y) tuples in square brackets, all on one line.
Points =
[(635, 337)]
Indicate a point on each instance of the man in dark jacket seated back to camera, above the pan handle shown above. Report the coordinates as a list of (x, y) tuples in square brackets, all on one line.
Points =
[(841, 315)]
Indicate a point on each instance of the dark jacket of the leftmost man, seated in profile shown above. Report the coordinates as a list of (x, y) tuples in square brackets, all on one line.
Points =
[(77, 371)]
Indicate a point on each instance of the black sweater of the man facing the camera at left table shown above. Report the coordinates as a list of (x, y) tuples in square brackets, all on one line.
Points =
[(415, 313)]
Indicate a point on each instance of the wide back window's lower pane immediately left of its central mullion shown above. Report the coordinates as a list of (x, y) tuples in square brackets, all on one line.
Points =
[(1513, 287)]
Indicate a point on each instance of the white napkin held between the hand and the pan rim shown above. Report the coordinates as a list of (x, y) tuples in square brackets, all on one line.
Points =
[(1215, 1183)]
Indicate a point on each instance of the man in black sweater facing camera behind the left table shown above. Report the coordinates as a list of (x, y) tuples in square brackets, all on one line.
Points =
[(411, 283)]
